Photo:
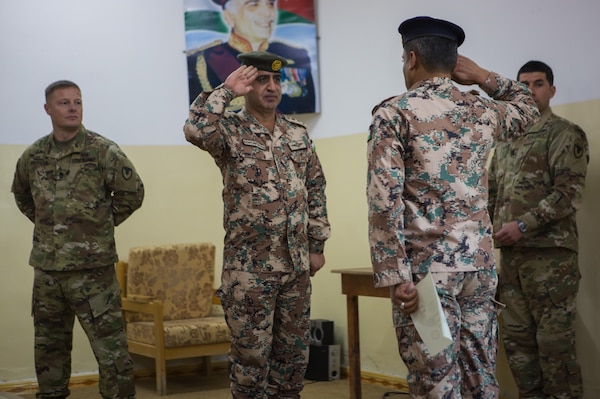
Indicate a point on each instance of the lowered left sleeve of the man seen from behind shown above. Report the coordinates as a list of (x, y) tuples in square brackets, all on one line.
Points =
[(385, 186)]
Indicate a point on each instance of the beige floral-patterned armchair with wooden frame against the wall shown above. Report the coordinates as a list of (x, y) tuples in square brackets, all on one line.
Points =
[(168, 295)]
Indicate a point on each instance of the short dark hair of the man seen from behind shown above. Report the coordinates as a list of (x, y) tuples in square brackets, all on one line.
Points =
[(437, 54)]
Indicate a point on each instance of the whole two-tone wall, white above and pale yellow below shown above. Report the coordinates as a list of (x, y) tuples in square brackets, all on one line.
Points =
[(127, 56)]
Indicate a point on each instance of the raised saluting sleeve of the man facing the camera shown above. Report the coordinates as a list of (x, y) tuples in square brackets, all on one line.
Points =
[(203, 127)]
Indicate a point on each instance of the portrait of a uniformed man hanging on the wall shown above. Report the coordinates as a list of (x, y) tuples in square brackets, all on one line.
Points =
[(216, 31)]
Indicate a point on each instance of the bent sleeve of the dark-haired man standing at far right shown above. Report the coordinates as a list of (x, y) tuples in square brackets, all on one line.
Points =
[(568, 157)]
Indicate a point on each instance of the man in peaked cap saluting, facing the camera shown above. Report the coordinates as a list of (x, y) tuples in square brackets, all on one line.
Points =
[(276, 225)]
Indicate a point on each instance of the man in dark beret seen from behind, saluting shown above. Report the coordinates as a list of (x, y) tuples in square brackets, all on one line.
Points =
[(427, 199)]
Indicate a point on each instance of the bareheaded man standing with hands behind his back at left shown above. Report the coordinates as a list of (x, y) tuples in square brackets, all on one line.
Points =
[(76, 186)]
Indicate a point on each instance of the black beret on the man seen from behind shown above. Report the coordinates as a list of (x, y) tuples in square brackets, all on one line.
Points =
[(427, 26)]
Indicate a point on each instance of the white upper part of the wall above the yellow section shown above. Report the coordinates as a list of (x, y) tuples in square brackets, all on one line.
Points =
[(127, 56)]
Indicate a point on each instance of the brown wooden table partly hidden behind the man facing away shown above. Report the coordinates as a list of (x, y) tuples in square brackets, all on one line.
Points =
[(357, 282)]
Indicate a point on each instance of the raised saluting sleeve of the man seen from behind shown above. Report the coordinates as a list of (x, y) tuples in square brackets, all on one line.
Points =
[(512, 102)]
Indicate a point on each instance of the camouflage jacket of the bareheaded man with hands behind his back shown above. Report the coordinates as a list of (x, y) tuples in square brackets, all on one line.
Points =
[(75, 197)]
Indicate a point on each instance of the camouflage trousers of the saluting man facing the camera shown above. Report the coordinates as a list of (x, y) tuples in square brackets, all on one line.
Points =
[(268, 315)]
